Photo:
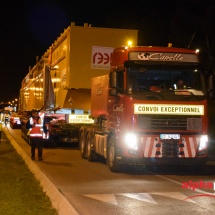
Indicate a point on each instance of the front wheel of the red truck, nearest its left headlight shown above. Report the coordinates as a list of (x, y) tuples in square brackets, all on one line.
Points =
[(112, 161)]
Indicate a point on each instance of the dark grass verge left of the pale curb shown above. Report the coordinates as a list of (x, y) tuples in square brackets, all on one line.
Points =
[(20, 192)]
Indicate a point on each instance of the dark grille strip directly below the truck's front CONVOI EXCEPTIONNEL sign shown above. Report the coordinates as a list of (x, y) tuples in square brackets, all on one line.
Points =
[(165, 122)]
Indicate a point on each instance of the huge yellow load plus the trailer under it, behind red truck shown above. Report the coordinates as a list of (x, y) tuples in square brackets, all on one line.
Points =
[(59, 85)]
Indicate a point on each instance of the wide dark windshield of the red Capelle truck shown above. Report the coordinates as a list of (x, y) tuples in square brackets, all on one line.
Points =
[(146, 79)]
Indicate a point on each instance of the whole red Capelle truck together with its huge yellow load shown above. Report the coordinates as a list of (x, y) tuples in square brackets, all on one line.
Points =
[(124, 102)]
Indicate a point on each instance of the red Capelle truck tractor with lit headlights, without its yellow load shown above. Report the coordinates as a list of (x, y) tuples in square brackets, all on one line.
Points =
[(140, 114)]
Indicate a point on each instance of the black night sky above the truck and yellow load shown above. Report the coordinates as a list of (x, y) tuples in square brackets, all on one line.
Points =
[(28, 28)]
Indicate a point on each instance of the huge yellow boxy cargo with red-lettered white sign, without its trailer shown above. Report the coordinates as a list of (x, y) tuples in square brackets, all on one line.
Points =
[(62, 77)]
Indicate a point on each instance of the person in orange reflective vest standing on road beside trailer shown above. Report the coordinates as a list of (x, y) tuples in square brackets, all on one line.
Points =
[(35, 127)]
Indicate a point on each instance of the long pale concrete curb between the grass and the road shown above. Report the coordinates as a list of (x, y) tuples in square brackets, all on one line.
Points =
[(59, 202)]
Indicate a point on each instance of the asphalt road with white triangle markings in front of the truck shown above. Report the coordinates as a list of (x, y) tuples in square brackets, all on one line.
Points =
[(91, 188)]
